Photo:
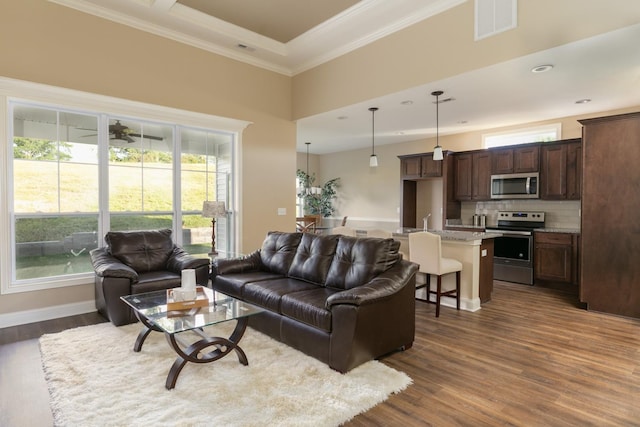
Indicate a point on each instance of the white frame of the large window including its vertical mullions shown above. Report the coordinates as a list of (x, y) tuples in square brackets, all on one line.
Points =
[(16, 91)]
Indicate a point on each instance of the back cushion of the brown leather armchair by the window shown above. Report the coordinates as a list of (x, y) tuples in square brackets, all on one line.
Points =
[(144, 251)]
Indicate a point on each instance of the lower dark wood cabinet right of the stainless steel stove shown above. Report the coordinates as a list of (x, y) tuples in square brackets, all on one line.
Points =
[(556, 258)]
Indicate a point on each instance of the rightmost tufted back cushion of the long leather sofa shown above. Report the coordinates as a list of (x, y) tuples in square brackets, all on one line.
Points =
[(358, 260)]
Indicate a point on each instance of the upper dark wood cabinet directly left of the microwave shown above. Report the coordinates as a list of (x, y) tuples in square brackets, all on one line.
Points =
[(473, 175)]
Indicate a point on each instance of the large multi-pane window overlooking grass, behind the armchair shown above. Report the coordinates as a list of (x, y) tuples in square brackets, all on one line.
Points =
[(76, 174)]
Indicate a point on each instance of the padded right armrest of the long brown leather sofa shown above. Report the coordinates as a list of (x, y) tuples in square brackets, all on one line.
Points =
[(379, 288)]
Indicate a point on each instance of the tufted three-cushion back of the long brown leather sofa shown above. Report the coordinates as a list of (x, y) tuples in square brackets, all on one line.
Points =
[(336, 261)]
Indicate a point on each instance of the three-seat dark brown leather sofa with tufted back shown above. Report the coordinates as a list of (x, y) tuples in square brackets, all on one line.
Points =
[(342, 300)]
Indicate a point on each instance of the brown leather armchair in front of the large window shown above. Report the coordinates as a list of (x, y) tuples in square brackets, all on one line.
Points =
[(133, 262)]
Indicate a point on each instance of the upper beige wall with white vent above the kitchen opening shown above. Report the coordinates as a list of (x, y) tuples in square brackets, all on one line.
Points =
[(444, 46)]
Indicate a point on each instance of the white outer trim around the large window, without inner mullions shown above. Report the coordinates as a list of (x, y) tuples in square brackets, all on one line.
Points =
[(28, 92)]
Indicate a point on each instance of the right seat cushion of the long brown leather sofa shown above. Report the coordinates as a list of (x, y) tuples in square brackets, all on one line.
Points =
[(309, 307)]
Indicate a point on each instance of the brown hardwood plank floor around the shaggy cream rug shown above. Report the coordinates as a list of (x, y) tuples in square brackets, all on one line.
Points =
[(530, 357)]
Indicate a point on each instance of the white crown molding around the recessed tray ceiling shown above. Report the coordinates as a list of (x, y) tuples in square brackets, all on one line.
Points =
[(358, 26)]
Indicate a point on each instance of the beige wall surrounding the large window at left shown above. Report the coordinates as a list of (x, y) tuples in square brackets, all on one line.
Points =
[(47, 43)]
